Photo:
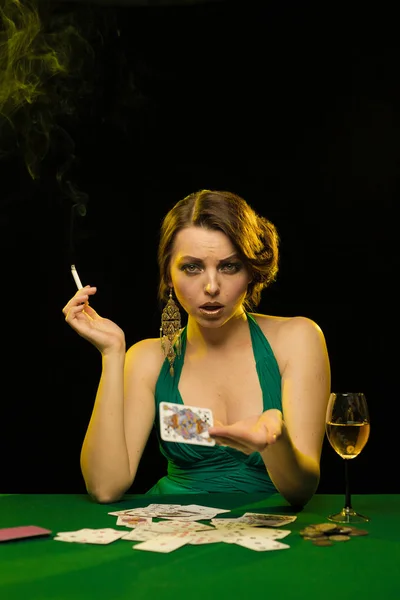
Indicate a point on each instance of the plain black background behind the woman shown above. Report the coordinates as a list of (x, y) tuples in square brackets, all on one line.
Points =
[(293, 106)]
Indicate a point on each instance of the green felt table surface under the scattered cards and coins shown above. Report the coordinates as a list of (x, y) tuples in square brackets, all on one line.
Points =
[(42, 568)]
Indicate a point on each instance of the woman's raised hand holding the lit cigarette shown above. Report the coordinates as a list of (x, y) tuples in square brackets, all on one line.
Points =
[(105, 335)]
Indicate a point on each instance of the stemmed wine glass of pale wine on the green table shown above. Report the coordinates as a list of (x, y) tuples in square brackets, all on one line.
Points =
[(347, 429)]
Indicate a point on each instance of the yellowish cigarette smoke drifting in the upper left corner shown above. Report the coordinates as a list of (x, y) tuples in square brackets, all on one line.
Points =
[(55, 65)]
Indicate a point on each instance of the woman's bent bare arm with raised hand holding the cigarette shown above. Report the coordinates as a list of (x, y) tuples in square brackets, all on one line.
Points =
[(123, 412)]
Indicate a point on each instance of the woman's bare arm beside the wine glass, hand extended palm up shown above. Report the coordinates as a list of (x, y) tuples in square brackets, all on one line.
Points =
[(290, 442)]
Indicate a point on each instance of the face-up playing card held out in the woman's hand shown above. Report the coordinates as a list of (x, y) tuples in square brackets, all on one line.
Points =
[(185, 424)]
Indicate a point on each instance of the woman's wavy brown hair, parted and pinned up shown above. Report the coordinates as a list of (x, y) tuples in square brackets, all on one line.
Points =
[(254, 237)]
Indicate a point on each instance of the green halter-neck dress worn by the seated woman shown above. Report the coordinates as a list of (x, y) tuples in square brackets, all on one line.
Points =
[(200, 469)]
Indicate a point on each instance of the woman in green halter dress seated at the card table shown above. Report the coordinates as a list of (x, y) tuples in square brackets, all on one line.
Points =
[(265, 378)]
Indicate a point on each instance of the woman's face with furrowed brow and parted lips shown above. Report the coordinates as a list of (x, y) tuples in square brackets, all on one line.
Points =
[(209, 279)]
